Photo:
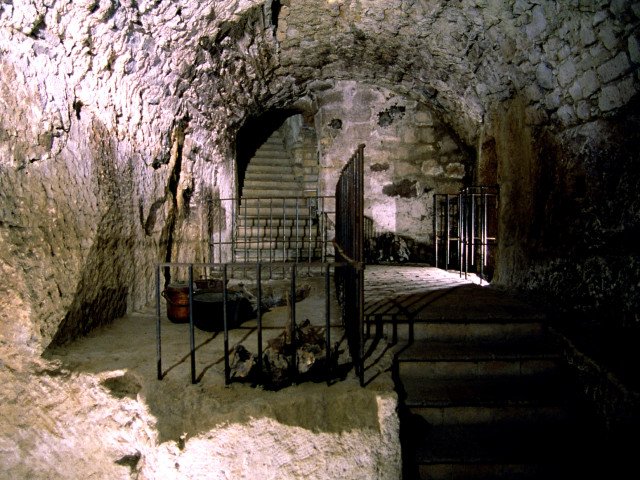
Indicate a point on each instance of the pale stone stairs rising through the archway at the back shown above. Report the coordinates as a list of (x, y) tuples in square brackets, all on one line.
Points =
[(276, 221)]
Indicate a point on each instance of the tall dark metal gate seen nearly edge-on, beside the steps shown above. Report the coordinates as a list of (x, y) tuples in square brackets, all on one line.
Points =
[(349, 243)]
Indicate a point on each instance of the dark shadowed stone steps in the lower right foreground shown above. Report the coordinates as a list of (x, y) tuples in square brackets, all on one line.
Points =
[(484, 391)]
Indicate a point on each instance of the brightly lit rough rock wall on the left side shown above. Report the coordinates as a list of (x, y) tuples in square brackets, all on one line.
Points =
[(95, 166)]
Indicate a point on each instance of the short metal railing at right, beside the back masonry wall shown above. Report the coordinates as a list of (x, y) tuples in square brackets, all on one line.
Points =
[(465, 229)]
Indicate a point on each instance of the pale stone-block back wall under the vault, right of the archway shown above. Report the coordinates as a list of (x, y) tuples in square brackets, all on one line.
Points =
[(409, 155)]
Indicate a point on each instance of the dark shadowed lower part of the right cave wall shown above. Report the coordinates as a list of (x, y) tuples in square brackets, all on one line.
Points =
[(578, 190)]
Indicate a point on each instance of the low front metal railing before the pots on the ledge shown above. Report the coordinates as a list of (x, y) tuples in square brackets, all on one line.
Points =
[(224, 271)]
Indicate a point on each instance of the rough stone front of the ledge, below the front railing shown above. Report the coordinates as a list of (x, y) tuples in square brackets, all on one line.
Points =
[(58, 422)]
